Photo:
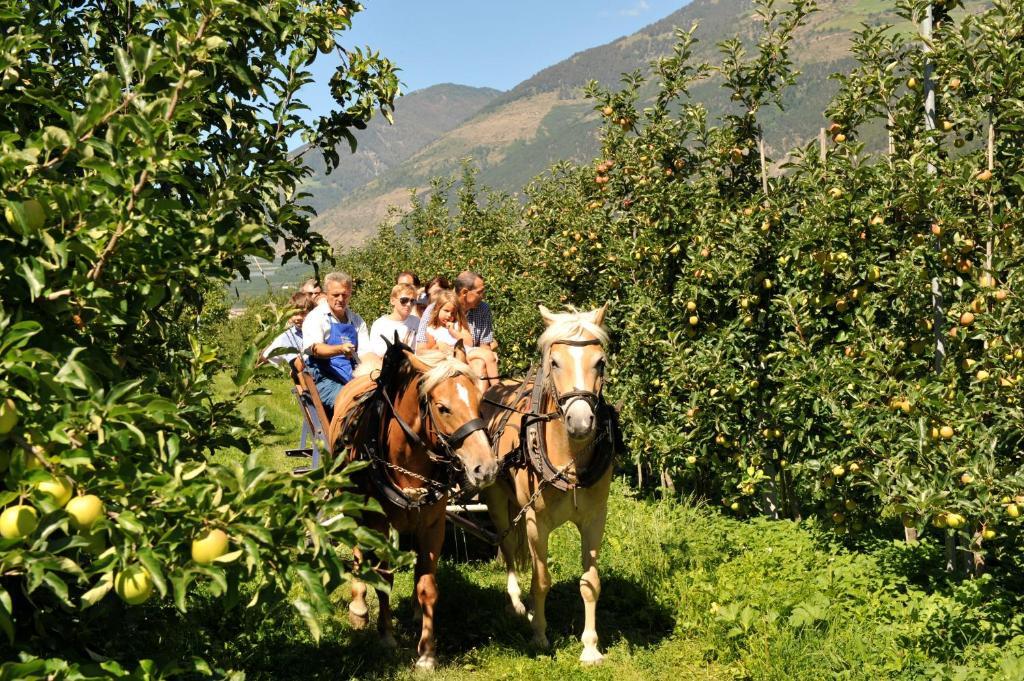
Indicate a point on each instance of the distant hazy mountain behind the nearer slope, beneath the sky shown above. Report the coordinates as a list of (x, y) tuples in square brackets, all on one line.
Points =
[(420, 118)]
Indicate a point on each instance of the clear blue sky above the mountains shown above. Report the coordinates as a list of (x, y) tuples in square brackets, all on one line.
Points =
[(484, 42)]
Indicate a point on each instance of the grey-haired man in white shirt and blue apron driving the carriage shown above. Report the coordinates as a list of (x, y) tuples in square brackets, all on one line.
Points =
[(333, 338)]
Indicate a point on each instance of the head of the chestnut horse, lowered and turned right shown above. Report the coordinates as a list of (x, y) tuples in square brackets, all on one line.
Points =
[(449, 391)]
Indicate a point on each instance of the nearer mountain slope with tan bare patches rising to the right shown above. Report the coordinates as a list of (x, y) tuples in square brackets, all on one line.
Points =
[(520, 134)]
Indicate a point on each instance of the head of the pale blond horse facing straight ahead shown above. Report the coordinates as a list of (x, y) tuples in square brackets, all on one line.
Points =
[(573, 349)]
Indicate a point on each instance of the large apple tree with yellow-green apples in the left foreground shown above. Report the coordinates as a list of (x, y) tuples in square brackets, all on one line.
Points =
[(144, 153)]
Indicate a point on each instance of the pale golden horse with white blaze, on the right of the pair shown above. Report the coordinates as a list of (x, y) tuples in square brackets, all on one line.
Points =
[(558, 442)]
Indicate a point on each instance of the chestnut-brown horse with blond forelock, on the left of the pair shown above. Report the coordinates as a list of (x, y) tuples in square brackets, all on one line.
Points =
[(418, 424)]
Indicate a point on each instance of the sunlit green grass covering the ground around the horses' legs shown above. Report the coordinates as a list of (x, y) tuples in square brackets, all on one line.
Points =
[(687, 594)]
